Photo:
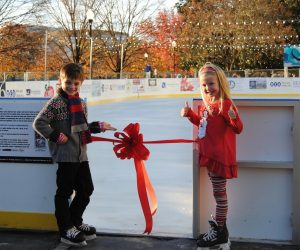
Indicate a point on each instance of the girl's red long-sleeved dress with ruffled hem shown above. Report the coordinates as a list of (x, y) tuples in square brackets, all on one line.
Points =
[(217, 150)]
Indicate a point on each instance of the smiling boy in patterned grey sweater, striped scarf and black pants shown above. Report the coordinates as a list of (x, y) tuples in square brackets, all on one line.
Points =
[(64, 124)]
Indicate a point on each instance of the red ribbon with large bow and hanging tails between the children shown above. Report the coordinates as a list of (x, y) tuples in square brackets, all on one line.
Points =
[(130, 144)]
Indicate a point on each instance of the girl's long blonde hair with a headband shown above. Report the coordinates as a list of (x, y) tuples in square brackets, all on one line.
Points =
[(210, 68)]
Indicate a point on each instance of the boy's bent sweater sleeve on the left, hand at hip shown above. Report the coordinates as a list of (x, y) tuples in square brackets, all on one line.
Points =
[(41, 123)]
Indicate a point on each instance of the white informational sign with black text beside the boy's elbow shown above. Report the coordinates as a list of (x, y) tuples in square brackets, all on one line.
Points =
[(18, 141)]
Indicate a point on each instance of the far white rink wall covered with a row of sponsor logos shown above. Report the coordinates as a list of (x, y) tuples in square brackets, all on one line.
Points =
[(114, 89)]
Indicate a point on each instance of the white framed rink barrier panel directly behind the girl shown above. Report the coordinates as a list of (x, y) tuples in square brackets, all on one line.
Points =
[(264, 199)]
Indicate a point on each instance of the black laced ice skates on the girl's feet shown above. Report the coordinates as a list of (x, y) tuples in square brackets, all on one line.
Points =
[(216, 236)]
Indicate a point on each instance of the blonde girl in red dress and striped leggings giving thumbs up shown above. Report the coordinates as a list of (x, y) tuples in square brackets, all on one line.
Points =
[(218, 123)]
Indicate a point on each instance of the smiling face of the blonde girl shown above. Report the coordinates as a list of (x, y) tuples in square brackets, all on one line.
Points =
[(210, 87)]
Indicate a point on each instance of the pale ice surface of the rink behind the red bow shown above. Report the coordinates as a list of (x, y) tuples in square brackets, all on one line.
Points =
[(115, 206)]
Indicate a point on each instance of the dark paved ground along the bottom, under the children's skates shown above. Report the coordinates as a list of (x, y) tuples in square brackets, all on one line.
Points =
[(24, 240)]
